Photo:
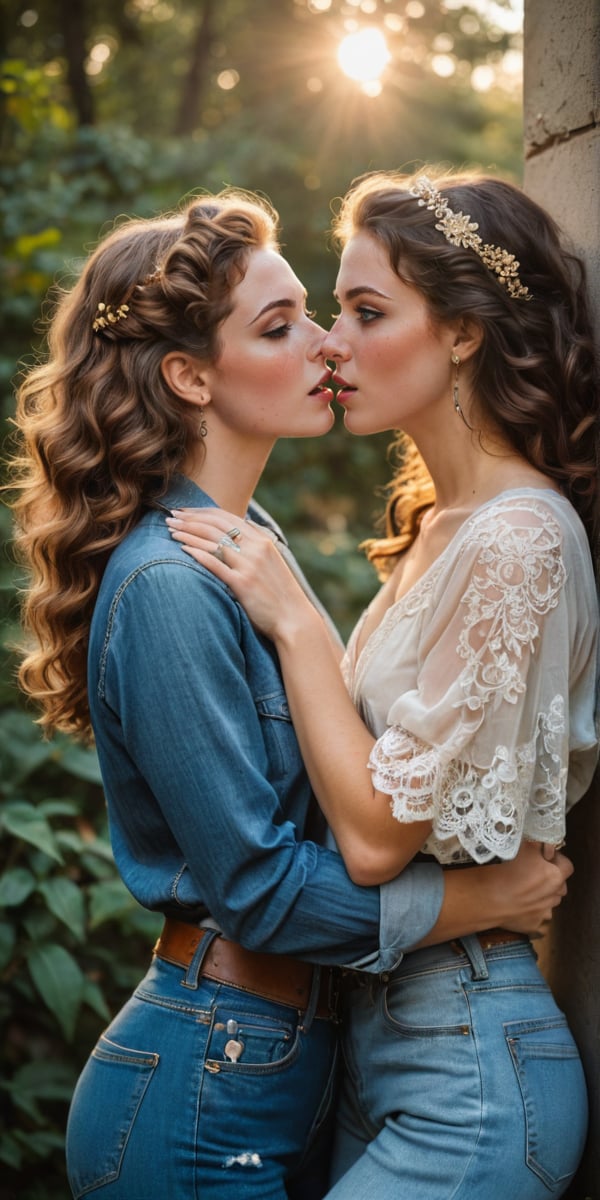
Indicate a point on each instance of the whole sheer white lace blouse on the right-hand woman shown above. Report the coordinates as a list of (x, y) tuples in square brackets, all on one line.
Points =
[(481, 683)]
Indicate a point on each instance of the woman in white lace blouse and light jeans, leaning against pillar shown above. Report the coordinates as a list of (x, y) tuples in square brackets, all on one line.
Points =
[(473, 674)]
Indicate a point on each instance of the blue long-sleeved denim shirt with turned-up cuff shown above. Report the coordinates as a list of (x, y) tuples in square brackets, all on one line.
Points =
[(207, 795)]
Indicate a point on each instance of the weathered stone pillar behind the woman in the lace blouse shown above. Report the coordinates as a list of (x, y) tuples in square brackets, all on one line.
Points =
[(562, 171)]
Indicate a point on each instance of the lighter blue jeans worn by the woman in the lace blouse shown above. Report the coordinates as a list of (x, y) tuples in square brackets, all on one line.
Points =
[(463, 1082)]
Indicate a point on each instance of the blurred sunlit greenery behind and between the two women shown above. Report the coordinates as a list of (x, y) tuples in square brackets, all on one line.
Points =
[(125, 109)]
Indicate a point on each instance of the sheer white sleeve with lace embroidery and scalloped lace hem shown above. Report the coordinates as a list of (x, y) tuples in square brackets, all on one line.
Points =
[(481, 747)]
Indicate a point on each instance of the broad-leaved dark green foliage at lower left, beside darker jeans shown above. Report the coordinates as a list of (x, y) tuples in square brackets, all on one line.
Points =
[(73, 943)]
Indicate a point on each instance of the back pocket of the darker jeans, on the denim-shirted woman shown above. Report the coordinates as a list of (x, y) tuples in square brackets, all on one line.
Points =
[(106, 1103)]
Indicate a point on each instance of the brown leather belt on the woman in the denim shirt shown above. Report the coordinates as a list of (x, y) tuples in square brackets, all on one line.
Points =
[(275, 977)]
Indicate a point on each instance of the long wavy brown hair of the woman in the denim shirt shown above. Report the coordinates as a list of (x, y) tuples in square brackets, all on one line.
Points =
[(100, 433)]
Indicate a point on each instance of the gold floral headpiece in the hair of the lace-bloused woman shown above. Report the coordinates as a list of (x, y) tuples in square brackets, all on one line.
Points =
[(460, 231)]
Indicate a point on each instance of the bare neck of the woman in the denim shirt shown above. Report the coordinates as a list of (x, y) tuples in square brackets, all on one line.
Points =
[(229, 469)]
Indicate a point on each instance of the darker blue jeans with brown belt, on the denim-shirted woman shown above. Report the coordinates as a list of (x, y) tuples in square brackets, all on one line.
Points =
[(161, 1112)]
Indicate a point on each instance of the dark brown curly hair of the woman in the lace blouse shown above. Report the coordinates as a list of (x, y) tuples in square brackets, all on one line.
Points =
[(536, 374)]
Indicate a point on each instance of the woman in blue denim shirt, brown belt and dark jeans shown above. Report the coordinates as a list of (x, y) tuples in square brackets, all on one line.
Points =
[(175, 364)]
